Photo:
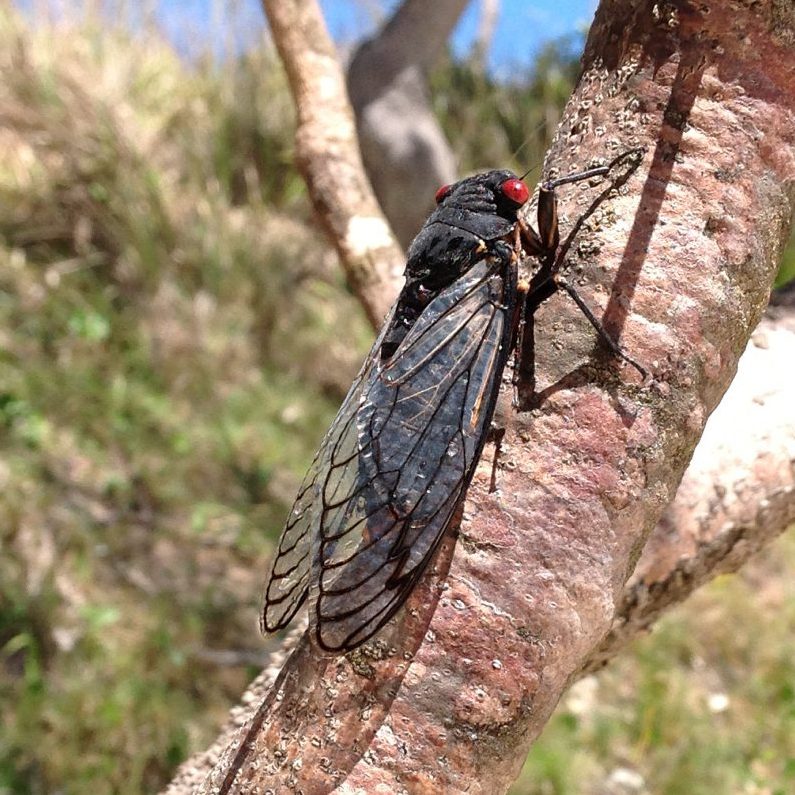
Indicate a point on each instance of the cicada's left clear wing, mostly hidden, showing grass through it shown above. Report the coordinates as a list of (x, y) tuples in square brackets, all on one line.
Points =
[(288, 581)]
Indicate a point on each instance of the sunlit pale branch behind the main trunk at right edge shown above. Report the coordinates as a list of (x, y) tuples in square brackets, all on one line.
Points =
[(737, 495)]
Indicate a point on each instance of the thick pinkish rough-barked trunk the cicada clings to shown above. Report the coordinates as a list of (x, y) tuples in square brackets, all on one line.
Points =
[(680, 265)]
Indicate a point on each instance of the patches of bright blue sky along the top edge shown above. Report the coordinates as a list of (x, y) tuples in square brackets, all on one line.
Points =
[(523, 26)]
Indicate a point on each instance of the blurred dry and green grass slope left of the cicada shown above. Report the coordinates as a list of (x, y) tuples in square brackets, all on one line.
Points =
[(174, 339)]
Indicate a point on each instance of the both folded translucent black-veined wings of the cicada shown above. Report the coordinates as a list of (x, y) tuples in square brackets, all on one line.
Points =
[(395, 464)]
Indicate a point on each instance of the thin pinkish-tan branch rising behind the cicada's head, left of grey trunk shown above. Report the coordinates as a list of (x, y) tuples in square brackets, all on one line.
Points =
[(327, 154)]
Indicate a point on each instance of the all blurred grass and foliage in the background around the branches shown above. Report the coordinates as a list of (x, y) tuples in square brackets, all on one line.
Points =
[(175, 337)]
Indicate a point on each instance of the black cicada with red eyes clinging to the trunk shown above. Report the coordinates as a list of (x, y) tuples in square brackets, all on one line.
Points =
[(397, 461)]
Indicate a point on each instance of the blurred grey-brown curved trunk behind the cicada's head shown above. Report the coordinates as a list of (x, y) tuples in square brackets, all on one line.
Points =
[(403, 147)]
